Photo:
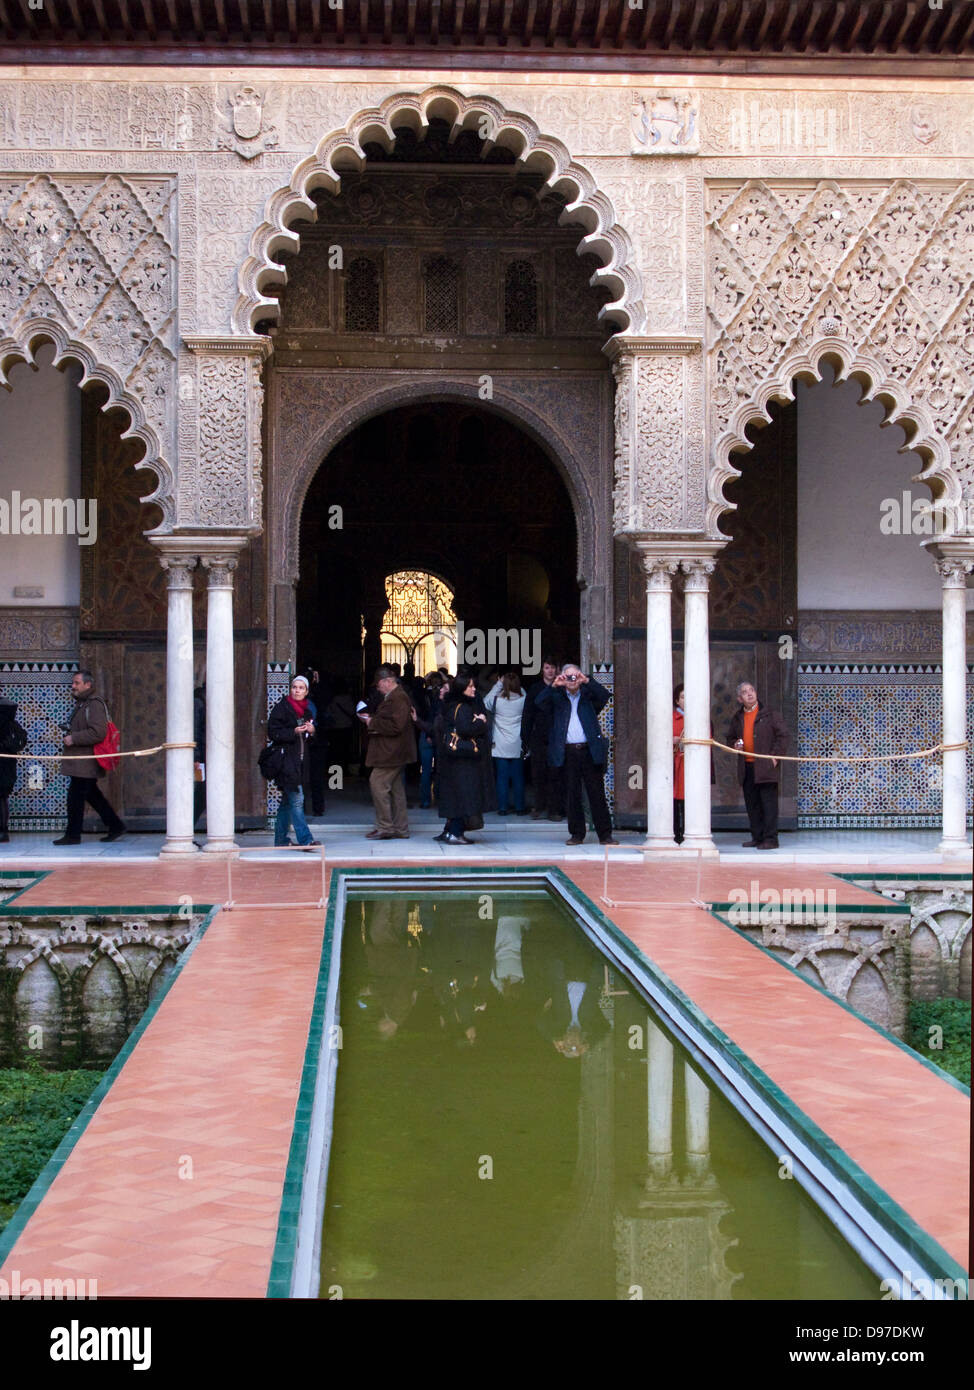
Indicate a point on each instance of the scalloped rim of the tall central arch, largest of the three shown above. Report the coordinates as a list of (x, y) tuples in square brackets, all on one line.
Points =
[(512, 130)]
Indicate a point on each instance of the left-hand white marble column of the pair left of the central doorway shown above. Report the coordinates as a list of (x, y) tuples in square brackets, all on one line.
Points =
[(179, 561)]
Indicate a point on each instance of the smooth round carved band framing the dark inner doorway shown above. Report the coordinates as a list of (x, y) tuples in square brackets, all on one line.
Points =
[(340, 423)]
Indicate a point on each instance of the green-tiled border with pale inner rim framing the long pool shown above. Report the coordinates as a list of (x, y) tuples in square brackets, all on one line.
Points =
[(875, 1200)]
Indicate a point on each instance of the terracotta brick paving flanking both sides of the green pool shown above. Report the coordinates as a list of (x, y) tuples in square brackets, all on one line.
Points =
[(176, 1185)]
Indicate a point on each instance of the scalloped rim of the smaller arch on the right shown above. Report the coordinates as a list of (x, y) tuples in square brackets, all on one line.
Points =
[(848, 365)]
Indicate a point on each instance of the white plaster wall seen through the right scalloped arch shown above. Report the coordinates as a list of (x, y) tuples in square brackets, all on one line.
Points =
[(847, 466)]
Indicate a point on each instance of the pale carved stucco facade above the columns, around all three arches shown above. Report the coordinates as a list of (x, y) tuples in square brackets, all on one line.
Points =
[(804, 216)]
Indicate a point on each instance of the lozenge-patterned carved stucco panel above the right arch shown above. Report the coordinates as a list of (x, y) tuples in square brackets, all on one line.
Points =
[(880, 273)]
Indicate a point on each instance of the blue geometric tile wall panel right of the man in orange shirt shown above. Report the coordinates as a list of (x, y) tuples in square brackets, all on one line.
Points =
[(864, 711)]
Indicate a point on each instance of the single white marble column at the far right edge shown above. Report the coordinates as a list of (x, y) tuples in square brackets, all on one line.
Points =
[(955, 564)]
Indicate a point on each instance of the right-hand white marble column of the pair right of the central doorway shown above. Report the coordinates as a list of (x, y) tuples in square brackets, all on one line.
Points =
[(697, 705)]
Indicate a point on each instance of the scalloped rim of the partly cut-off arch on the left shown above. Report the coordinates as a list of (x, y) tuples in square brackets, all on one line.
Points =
[(37, 333)]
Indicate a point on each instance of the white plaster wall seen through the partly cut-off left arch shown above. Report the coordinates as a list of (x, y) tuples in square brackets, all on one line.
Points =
[(41, 458)]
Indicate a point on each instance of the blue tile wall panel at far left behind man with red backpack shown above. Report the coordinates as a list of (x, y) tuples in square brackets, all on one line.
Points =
[(42, 693)]
